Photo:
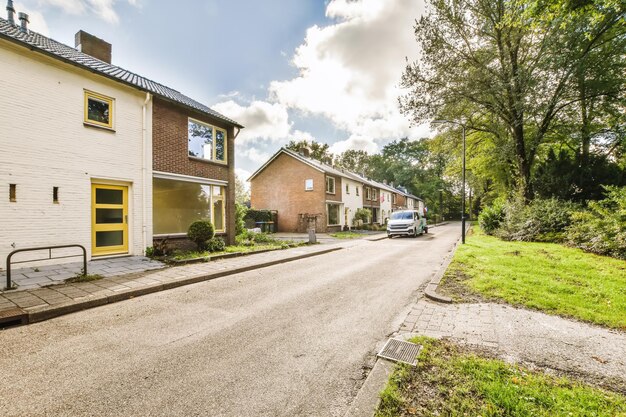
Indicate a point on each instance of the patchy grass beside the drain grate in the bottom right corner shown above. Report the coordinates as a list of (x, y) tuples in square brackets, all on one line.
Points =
[(451, 381)]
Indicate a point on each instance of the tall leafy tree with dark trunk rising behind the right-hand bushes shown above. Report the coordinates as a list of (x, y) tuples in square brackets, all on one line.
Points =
[(502, 68)]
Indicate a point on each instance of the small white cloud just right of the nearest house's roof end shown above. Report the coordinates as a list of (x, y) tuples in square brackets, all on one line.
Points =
[(262, 120)]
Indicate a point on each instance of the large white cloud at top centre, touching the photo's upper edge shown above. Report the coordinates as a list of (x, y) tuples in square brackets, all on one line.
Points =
[(349, 71)]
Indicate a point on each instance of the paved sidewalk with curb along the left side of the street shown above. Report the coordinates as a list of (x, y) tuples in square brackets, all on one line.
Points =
[(33, 305)]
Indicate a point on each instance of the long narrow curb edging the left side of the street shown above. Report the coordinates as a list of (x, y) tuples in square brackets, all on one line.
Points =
[(38, 314)]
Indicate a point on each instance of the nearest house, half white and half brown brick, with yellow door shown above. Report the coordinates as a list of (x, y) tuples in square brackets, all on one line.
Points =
[(93, 154)]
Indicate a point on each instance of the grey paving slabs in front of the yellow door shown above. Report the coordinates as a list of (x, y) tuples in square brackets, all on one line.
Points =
[(44, 275)]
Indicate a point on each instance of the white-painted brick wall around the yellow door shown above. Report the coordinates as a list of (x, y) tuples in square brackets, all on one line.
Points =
[(43, 144)]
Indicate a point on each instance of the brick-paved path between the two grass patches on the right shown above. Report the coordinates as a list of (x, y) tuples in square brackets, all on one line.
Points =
[(525, 336)]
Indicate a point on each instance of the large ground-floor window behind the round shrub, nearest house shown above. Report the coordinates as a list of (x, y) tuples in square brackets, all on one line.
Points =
[(177, 204)]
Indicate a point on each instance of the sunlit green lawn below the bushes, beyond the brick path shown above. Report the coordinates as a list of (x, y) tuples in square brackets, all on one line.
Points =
[(543, 276)]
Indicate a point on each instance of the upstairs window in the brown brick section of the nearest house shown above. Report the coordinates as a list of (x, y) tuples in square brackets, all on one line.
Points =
[(206, 141)]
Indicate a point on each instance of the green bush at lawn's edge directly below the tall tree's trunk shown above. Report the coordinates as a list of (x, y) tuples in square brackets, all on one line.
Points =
[(543, 220)]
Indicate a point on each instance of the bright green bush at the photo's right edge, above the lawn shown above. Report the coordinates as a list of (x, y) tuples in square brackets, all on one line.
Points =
[(601, 228)]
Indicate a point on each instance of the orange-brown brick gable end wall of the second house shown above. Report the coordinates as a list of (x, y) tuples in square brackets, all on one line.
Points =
[(280, 186)]
